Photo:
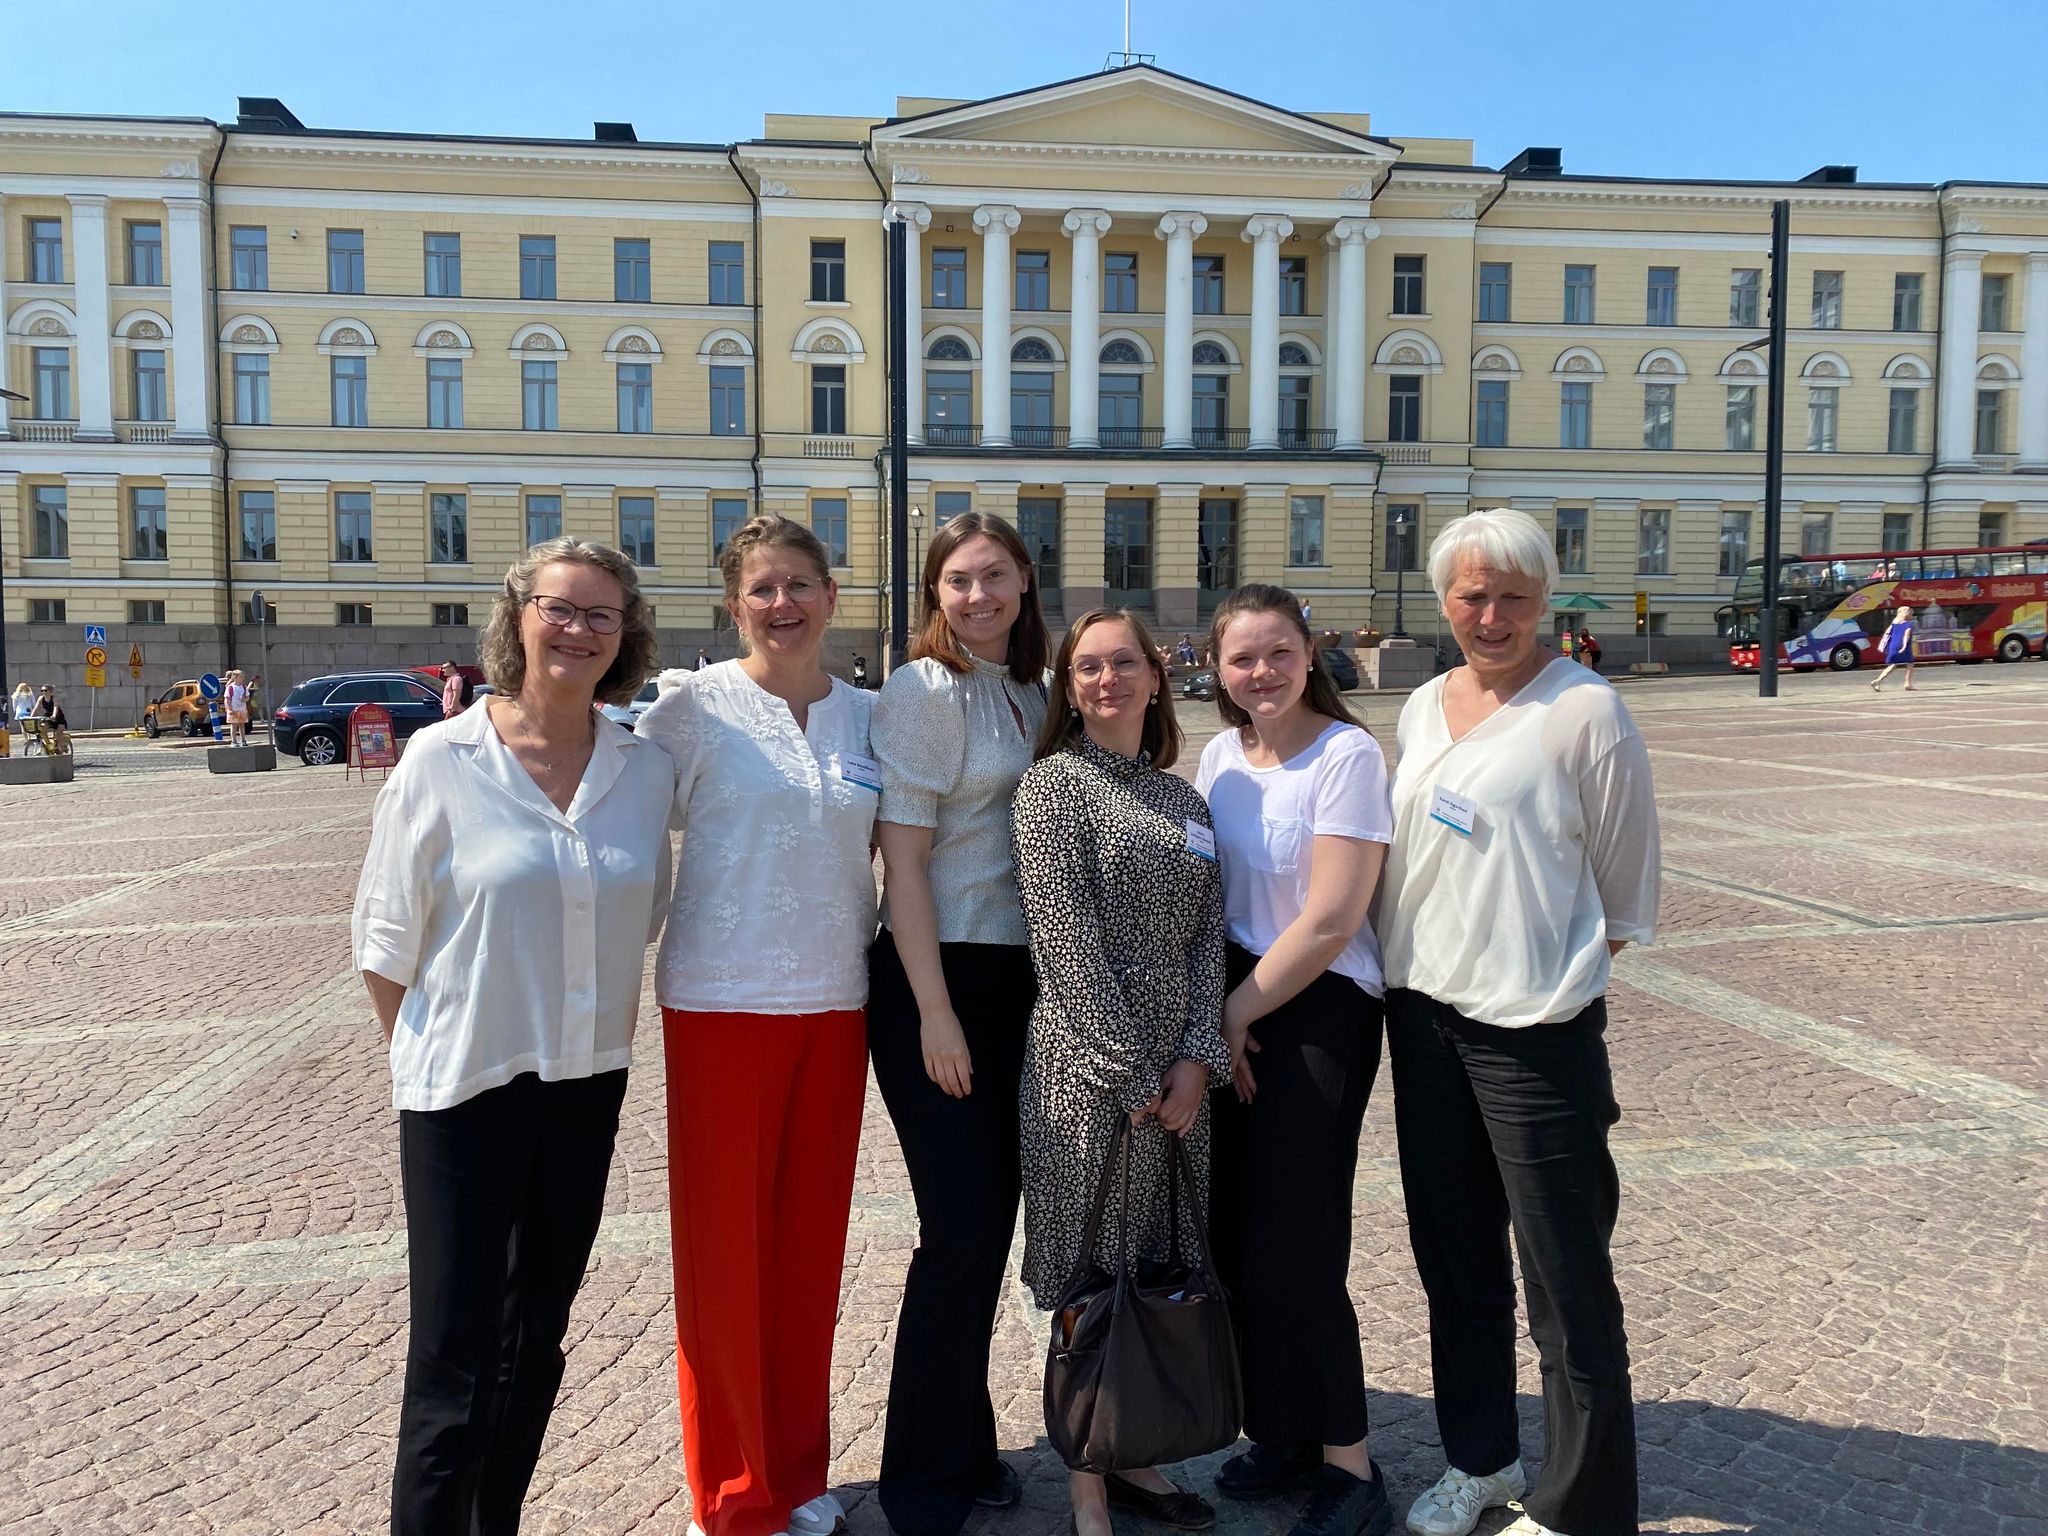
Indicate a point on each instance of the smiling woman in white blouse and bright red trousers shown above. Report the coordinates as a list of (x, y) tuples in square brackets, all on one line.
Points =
[(763, 988)]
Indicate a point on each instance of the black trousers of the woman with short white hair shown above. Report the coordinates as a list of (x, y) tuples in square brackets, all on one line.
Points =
[(1510, 1129)]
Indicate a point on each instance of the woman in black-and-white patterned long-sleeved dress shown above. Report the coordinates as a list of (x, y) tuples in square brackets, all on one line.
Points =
[(1117, 869)]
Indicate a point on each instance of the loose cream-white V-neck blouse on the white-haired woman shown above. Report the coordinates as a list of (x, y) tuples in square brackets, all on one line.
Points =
[(1510, 923)]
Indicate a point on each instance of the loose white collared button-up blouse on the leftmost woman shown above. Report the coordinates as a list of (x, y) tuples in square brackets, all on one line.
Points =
[(519, 931)]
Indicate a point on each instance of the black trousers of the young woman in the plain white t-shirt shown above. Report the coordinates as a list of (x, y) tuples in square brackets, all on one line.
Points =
[(1281, 1177)]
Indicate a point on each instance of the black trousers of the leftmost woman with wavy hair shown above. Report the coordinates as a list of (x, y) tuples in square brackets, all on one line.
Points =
[(503, 1203)]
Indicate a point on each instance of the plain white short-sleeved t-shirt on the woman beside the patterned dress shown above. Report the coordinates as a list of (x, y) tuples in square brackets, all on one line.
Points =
[(1269, 822)]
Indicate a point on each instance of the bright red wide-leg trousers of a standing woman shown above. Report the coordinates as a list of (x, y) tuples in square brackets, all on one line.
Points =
[(763, 1134)]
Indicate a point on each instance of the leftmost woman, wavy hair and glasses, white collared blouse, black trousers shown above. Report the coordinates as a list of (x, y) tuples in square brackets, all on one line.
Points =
[(515, 876)]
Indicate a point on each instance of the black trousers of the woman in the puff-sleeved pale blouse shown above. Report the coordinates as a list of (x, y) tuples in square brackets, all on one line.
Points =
[(939, 1443)]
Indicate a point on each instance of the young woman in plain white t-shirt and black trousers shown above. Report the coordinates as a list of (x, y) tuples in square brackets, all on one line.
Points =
[(1299, 798)]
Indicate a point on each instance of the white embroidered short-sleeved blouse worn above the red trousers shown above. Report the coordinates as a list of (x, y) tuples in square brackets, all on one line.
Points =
[(775, 882)]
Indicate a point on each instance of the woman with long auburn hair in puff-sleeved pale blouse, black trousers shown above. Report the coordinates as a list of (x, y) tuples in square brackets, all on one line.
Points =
[(953, 990)]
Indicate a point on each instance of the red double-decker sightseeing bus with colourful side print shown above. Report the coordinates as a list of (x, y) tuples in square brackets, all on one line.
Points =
[(1969, 605)]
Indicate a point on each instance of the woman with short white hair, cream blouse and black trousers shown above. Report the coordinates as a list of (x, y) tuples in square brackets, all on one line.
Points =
[(1525, 859)]
